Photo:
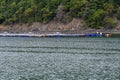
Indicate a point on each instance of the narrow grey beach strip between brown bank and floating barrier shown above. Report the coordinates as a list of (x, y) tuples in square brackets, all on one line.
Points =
[(85, 31)]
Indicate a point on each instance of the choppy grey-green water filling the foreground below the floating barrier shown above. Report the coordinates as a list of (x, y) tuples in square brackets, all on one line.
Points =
[(30, 58)]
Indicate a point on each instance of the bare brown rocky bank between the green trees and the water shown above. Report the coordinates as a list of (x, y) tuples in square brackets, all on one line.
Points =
[(76, 26)]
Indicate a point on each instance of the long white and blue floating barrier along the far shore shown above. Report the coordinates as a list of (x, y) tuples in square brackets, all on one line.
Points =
[(50, 35)]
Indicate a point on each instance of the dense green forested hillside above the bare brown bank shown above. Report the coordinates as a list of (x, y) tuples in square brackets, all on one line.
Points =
[(95, 13)]
